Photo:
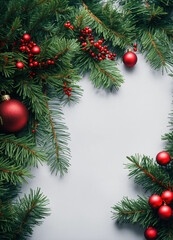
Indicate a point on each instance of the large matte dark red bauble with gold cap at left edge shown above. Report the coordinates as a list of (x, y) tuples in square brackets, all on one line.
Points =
[(13, 115)]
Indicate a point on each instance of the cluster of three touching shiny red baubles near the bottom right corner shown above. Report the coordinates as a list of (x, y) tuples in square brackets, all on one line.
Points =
[(164, 211)]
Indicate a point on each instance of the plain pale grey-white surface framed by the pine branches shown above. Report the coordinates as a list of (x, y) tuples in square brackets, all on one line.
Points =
[(105, 128)]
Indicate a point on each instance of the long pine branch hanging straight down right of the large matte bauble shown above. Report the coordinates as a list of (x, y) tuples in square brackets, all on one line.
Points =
[(53, 137)]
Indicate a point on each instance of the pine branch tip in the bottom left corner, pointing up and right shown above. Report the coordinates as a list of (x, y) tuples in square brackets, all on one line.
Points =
[(29, 212)]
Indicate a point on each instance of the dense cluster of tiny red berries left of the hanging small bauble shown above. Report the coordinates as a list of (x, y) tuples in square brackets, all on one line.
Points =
[(96, 50)]
